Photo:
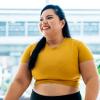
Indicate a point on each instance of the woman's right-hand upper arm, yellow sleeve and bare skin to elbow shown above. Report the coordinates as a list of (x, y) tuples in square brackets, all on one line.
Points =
[(86, 62)]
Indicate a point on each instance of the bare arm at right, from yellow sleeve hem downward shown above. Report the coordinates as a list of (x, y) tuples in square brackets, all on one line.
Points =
[(91, 79)]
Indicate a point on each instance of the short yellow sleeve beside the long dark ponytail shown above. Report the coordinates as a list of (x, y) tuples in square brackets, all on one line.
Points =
[(27, 53)]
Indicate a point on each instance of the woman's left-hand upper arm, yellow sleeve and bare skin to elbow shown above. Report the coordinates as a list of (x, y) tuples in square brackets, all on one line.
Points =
[(24, 74)]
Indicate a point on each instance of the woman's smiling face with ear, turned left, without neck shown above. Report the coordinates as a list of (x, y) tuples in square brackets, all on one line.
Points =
[(50, 24)]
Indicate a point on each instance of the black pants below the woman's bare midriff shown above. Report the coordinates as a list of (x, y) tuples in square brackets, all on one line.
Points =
[(36, 96)]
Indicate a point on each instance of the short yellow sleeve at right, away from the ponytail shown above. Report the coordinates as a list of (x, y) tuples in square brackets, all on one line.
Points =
[(84, 53)]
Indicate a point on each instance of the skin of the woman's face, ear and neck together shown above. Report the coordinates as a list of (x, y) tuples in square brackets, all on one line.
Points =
[(51, 27)]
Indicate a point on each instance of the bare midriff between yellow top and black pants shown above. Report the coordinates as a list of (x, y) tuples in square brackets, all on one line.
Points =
[(53, 89)]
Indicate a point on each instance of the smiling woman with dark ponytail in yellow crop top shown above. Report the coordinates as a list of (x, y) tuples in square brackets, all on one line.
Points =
[(56, 63)]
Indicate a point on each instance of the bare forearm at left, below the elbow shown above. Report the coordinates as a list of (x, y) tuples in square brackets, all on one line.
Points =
[(15, 91)]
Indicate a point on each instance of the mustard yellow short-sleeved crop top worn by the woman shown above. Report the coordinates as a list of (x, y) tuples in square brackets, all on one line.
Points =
[(59, 64)]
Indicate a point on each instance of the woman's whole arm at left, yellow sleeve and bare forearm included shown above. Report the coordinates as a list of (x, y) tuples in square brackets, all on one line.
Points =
[(23, 76)]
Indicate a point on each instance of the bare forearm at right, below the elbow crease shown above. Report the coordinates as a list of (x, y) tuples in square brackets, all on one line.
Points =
[(92, 88)]
